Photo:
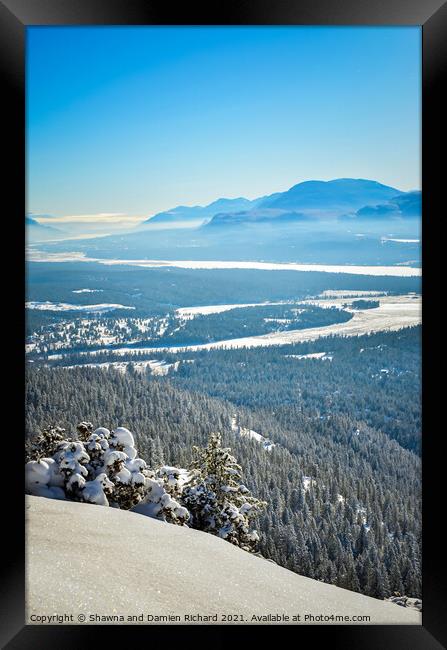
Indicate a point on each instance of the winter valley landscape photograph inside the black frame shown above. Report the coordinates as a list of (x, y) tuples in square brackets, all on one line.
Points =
[(223, 319)]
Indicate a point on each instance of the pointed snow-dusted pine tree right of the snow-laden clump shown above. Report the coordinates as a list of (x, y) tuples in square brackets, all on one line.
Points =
[(217, 499)]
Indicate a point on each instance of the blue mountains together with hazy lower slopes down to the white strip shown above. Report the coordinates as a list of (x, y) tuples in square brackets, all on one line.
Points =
[(232, 229)]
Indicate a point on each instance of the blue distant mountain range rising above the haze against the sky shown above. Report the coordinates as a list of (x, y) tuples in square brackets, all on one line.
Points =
[(344, 197)]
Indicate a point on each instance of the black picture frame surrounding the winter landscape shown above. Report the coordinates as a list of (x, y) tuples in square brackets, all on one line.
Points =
[(15, 17)]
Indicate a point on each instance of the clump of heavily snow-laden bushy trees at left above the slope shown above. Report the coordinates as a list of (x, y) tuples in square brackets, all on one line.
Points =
[(103, 468)]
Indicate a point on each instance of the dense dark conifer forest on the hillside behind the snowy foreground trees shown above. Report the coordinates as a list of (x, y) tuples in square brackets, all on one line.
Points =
[(342, 478)]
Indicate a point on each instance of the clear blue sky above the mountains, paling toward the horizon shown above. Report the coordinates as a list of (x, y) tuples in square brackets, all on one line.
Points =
[(134, 120)]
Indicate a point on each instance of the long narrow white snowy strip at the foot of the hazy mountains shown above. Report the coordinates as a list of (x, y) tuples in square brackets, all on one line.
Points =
[(35, 255)]
